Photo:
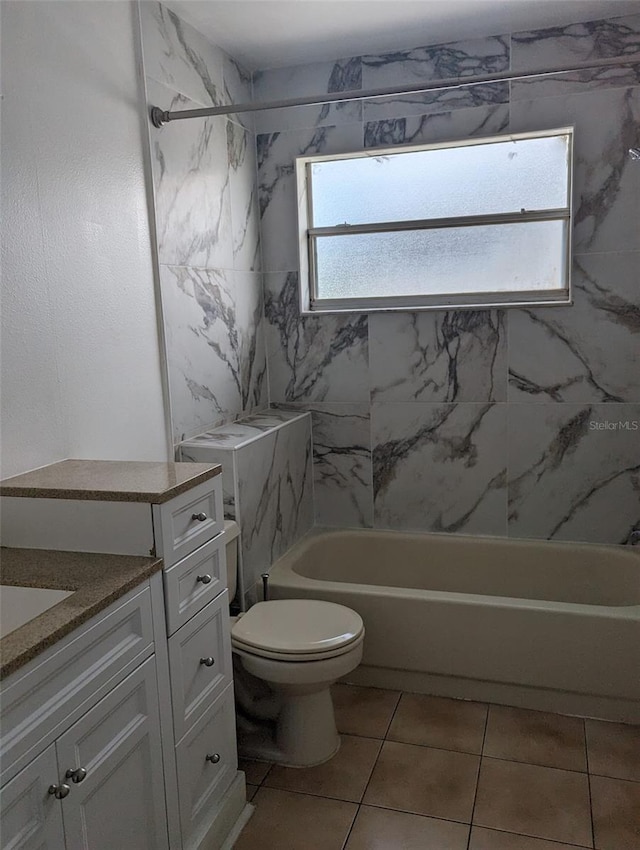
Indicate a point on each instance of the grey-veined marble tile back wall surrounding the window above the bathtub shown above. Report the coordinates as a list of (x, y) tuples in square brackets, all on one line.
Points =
[(500, 422)]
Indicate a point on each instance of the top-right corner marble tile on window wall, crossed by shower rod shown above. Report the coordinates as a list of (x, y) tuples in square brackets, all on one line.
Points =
[(562, 46)]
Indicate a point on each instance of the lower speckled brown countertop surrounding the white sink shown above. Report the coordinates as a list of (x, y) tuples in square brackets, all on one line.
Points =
[(96, 579)]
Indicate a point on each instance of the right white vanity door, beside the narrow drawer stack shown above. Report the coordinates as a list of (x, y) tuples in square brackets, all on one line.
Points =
[(119, 802)]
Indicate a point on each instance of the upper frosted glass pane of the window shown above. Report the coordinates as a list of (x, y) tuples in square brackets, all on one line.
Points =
[(506, 176)]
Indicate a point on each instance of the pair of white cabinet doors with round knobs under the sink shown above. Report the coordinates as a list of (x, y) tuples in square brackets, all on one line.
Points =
[(105, 773)]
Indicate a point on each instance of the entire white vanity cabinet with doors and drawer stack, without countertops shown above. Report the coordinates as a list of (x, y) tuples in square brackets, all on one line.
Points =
[(141, 697)]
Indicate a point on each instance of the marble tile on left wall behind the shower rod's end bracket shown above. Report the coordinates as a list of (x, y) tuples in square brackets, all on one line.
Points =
[(191, 182)]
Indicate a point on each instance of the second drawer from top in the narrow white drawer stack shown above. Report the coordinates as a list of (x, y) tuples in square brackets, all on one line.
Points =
[(194, 582)]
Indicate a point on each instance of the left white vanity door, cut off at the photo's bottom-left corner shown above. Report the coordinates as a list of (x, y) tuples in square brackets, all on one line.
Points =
[(31, 817)]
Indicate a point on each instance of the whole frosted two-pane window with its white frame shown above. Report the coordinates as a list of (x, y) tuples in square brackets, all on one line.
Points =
[(476, 223)]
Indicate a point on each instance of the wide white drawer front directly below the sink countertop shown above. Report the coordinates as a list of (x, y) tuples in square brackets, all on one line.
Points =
[(59, 686)]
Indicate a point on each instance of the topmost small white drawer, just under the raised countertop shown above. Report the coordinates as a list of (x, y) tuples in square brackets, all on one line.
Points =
[(188, 521)]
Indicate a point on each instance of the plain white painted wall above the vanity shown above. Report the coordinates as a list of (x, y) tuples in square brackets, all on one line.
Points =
[(81, 373)]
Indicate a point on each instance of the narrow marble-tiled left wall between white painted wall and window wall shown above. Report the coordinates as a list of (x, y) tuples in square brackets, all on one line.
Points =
[(207, 224)]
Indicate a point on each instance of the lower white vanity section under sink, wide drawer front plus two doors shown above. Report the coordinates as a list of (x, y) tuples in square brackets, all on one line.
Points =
[(98, 783)]
